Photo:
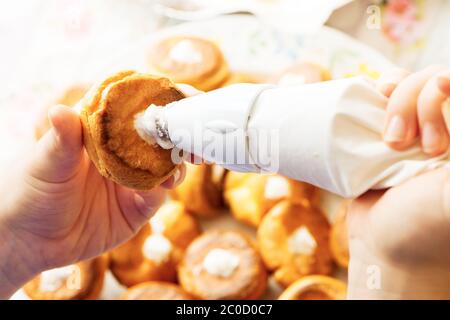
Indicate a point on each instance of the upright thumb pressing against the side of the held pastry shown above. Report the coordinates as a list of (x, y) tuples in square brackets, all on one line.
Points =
[(59, 152)]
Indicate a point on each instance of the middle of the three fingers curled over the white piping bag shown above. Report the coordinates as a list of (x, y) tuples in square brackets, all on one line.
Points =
[(401, 125)]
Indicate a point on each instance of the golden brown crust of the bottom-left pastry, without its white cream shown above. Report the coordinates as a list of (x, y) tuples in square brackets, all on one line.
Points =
[(85, 283)]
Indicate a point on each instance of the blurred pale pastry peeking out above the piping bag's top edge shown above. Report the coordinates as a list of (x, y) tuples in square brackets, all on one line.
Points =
[(302, 73)]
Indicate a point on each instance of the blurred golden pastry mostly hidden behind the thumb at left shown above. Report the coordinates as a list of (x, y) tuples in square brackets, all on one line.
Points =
[(70, 97)]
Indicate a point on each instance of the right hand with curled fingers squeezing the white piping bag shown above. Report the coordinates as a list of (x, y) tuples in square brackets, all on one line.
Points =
[(399, 238)]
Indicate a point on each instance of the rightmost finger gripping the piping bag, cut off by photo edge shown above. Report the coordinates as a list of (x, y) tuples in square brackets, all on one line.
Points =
[(434, 134)]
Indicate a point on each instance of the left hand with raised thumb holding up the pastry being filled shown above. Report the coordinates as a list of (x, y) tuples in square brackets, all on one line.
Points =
[(56, 209)]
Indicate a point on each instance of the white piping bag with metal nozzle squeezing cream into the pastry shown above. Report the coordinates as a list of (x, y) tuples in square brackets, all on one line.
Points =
[(327, 134)]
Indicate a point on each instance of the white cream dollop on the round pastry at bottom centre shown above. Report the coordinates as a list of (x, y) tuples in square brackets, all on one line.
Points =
[(220, 262)]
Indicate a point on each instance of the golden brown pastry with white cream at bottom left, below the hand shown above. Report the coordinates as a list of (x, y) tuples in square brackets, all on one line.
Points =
[(81, 281)]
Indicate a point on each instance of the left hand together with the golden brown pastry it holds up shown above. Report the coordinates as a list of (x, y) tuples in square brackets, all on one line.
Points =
[(59, 209)]
